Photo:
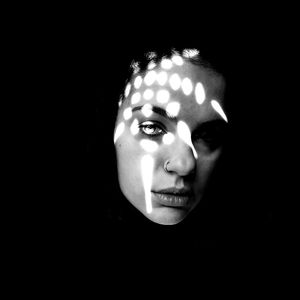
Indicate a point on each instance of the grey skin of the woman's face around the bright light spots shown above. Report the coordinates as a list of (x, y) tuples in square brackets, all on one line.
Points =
[(185, 170)]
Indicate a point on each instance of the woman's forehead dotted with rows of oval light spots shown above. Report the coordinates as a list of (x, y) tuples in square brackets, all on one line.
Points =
[(177, 83)]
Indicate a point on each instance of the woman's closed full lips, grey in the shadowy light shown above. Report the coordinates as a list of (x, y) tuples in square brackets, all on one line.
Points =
[(173, 197)]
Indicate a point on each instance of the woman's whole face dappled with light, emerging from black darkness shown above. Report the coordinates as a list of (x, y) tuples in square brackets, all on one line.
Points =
[(167, 138)]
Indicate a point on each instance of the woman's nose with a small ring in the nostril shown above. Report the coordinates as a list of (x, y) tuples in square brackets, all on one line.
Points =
[(182, 160)]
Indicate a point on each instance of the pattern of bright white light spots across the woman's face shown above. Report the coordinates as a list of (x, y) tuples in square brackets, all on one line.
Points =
[(162, 96)]
